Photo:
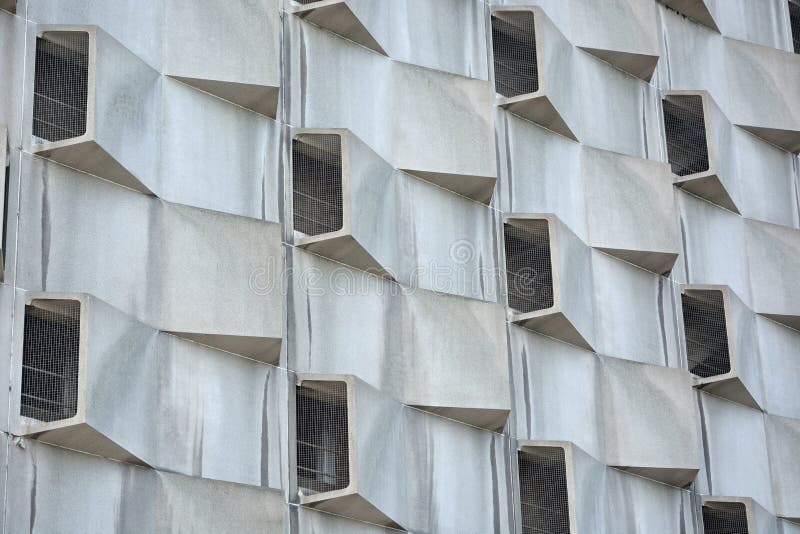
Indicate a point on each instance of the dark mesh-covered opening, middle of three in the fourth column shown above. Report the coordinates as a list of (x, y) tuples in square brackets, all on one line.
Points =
[(706, 333)]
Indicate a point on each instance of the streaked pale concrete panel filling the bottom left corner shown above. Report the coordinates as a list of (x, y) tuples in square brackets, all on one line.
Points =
[(53, 489)]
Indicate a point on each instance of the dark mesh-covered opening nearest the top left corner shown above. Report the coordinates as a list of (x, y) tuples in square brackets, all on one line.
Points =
[(61, 85)]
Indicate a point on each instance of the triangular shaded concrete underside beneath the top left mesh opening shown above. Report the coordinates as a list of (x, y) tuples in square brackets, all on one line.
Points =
[(88, 156)]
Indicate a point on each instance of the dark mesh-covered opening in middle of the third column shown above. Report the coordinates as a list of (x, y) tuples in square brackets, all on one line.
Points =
[(529, 273)]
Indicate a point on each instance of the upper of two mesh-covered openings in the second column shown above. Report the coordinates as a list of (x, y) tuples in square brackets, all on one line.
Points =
[(317, 183)]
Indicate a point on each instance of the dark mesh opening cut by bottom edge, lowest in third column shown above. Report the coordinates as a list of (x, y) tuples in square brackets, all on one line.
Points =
[(543, 491)]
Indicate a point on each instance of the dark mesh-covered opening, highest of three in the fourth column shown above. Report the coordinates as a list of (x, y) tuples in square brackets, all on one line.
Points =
[(685, 128)]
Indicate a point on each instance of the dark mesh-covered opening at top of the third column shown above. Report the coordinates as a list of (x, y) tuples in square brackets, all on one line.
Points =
[(514, 51)]
